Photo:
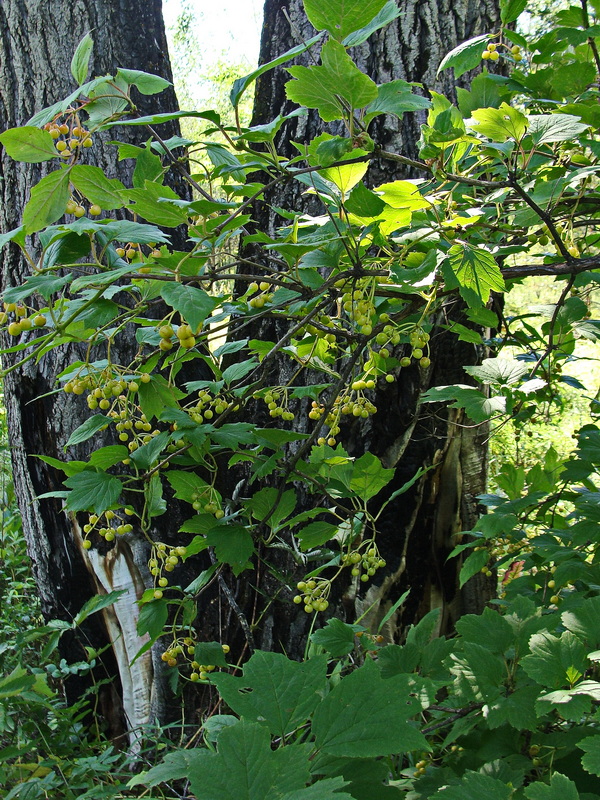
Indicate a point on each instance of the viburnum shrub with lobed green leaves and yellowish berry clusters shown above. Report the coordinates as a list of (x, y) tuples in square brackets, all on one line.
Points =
[(507, 190)]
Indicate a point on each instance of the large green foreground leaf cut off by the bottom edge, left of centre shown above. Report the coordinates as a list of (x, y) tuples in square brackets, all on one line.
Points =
[(245, 767)]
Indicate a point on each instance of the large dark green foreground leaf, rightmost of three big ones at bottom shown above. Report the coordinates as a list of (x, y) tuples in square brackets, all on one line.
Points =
[(344, 725)]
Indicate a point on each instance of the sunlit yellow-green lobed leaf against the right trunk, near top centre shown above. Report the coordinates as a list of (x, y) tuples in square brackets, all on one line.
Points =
[(321, 87)]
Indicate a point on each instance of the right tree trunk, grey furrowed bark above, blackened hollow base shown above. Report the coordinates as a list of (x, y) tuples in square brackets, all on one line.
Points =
[(417, 531)]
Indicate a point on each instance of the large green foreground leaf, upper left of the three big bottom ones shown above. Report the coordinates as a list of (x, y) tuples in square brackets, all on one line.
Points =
[(275, 690)]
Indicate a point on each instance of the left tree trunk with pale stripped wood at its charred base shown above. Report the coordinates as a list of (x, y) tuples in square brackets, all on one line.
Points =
[(37, 41)]
